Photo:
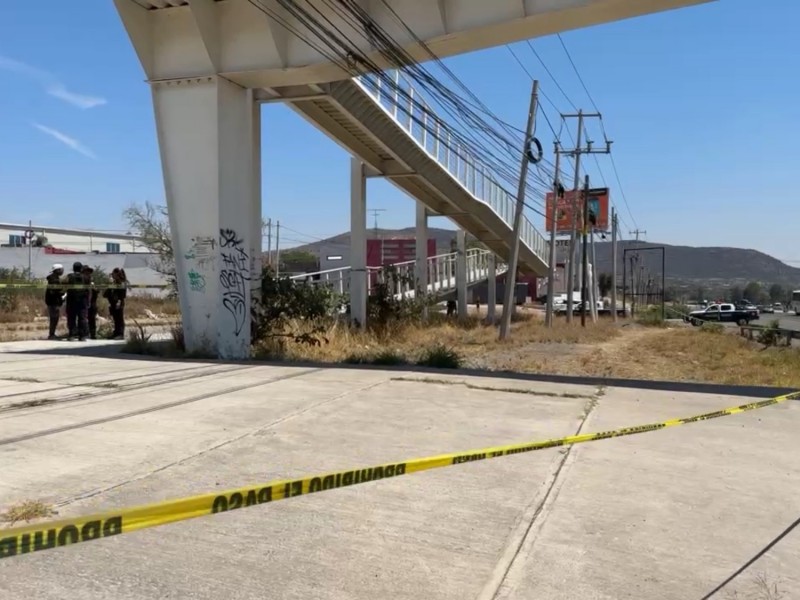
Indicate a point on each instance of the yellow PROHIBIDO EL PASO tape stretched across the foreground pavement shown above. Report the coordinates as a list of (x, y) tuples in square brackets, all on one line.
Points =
[(64, 532)]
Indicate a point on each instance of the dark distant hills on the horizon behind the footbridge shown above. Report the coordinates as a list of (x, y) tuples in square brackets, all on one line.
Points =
[(712, 265)]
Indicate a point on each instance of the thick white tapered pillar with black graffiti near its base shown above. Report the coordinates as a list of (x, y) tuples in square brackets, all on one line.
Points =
[(207, 136)]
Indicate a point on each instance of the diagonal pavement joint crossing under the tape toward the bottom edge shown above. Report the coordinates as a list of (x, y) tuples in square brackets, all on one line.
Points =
[(530, 517)]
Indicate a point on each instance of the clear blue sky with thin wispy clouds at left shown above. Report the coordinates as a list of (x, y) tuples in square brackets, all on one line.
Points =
[(701, 104)]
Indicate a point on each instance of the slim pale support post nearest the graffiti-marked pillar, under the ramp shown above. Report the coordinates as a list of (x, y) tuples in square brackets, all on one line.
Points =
[(358, 243)]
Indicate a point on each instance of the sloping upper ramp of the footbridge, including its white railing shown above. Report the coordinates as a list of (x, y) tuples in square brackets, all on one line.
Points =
[(396, 133)]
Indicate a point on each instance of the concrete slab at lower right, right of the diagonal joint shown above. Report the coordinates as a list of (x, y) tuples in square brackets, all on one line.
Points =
[(670, 515)]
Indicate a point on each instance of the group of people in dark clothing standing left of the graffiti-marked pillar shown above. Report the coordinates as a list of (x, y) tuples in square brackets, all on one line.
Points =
[(79, 293)]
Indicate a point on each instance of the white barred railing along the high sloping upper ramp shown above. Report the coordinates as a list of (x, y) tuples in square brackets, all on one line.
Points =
[(414, 115)]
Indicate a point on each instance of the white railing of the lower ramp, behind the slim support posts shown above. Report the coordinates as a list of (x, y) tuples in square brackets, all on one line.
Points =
[(441, 274)]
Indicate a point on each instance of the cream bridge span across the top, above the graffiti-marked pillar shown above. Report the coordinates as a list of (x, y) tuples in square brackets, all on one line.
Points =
[(248, 42)]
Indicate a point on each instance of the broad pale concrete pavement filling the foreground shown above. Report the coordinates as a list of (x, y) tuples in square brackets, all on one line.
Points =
[(667, 514)]
